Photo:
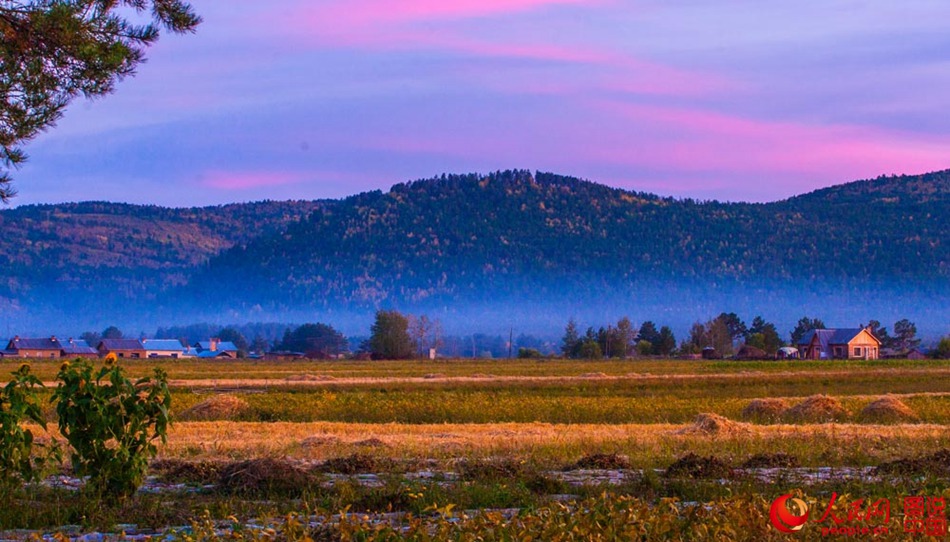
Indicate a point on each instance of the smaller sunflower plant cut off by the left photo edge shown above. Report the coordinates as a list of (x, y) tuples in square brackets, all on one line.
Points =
[(19, 403)]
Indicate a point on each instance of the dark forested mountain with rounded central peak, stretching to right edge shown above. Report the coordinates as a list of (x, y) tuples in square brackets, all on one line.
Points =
[(518, 233)]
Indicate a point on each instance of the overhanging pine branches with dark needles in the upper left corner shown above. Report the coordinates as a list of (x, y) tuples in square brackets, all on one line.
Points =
[(53, 51)]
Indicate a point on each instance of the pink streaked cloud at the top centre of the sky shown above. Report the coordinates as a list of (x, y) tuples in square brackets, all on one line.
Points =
[(409, 27)]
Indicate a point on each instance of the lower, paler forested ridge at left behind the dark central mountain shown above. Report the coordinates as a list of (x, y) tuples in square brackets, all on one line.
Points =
[(132, 250)]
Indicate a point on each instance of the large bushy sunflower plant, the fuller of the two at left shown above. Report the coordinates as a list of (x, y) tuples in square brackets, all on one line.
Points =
[(111, 423)]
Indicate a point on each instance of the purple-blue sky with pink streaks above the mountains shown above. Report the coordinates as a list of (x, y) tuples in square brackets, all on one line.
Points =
[(734, 99)]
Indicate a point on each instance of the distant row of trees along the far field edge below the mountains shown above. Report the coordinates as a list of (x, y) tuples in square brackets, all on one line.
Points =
[(395, 335)]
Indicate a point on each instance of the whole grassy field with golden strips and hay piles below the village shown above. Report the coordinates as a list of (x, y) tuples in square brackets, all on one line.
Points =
[(493, 435)]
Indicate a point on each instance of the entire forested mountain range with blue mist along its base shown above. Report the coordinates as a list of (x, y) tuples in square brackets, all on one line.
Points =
[(503, 242)]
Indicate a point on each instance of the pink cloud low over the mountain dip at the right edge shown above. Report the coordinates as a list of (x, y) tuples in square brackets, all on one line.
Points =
[(693, 140)]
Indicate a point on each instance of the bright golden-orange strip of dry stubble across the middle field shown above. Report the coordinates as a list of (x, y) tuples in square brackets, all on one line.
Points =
[(647, 445)]
